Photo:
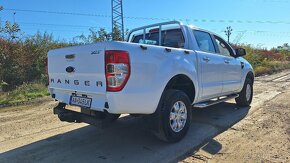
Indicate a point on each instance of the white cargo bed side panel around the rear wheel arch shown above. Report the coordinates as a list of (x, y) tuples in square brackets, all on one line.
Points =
[(151, 70)]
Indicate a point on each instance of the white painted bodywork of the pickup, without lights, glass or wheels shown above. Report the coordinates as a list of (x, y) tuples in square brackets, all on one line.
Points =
[(151, 70)]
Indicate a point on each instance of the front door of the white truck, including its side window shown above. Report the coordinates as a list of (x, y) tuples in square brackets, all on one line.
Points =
[(231, 67)]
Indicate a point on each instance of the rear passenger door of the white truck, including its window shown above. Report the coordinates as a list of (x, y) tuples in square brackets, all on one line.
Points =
[(210, 65)]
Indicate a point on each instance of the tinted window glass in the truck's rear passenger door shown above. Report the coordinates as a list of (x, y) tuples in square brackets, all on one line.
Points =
[(204, 41)]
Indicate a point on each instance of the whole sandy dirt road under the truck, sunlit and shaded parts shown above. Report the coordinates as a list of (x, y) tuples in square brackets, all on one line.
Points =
[(223, 133)]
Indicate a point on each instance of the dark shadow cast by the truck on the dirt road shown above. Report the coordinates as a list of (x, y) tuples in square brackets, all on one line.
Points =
[(128, 141)]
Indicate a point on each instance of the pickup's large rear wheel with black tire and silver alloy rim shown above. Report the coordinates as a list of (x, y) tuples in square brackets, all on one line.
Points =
[(160, 120)]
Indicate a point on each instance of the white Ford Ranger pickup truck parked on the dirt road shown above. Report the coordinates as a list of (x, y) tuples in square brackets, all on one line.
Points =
[(161, 72)]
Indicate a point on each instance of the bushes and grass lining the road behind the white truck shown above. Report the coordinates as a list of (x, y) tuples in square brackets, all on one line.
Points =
[(22, 60)]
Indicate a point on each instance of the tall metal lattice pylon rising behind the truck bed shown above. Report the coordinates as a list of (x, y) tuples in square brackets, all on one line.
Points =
[(117, 17)]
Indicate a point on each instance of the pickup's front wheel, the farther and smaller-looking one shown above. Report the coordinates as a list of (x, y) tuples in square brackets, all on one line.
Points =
[(242, 100)]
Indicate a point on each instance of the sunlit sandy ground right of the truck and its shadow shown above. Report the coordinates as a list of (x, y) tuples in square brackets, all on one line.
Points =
[(262, 136)]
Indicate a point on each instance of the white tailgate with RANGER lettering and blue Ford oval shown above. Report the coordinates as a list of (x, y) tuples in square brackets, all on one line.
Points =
[(78, 69)]
